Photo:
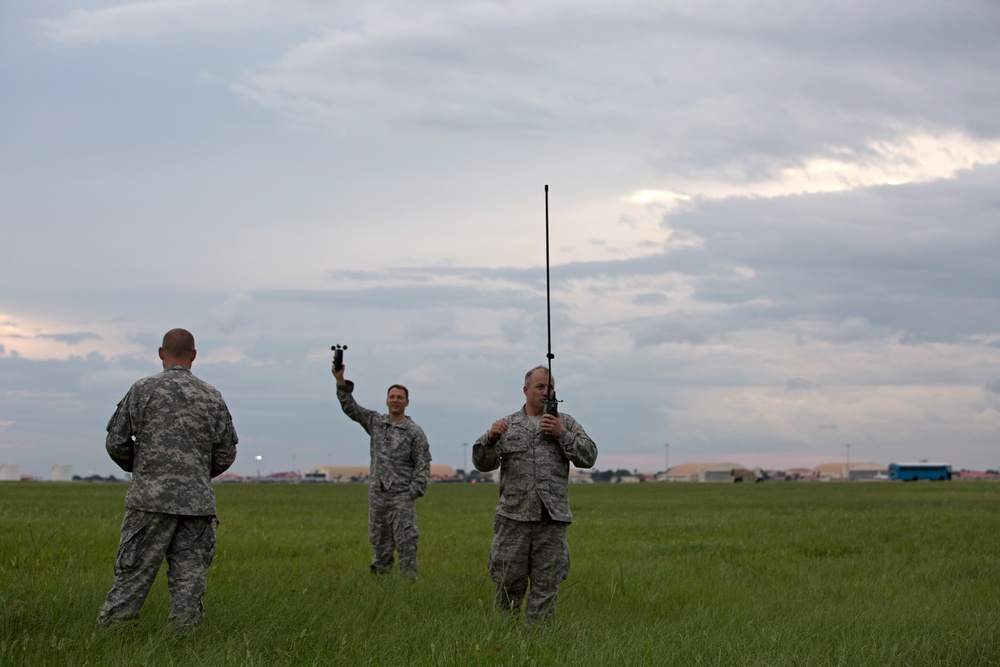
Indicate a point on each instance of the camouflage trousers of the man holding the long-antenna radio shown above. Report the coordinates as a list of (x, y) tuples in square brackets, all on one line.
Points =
[(523, 551)]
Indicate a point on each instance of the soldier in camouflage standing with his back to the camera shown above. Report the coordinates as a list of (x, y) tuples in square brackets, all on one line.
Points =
[(174, 433)]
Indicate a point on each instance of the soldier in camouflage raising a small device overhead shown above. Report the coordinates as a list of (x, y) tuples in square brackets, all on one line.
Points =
[(400, 471)]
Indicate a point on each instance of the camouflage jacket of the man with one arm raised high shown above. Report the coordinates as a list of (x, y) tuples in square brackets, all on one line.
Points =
[(400, 453)]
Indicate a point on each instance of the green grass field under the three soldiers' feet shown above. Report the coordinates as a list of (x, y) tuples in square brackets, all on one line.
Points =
[(675, 574)]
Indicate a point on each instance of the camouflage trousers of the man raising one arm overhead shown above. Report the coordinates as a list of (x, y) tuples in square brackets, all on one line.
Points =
[(392, 526)]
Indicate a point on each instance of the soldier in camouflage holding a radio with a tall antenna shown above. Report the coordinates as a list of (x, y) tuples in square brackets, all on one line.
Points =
[(533, 451)]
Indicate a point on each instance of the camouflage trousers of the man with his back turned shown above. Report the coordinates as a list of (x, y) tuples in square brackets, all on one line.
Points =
[(188, 542)]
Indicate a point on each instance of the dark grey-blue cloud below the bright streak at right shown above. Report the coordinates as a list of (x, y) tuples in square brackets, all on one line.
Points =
[(915, 260)]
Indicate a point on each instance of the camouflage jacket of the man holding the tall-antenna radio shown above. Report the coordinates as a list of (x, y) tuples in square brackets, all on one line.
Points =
[(534, 470)]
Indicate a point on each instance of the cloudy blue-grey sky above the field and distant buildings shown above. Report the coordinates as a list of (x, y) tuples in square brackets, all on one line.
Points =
[(773, 225)]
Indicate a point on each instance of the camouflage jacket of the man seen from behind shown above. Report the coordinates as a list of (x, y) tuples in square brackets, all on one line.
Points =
[(183, 437)]
